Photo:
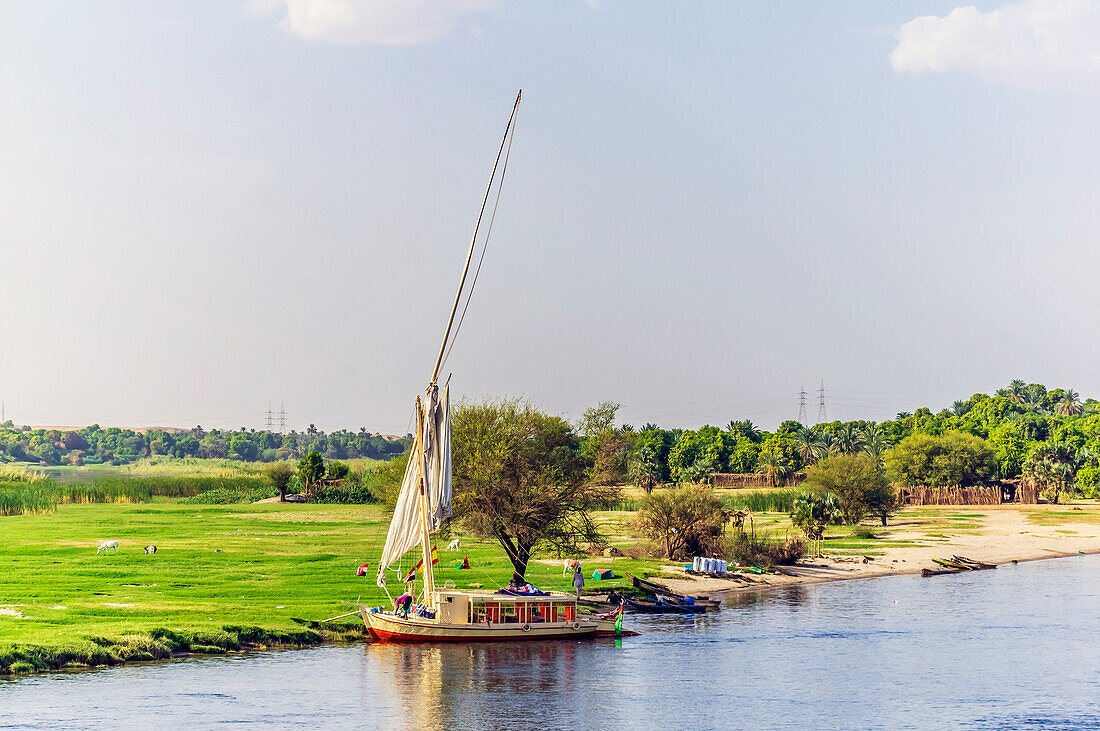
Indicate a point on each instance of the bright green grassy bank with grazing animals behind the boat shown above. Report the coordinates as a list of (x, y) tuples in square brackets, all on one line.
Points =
[(225, 578)]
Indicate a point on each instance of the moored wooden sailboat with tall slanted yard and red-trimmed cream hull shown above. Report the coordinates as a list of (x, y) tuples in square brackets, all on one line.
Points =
[(449, 615)]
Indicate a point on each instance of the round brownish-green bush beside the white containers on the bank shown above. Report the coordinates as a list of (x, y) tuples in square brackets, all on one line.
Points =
[(687, 519)]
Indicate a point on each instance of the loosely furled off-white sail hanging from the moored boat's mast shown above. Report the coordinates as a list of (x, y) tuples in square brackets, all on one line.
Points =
[(405, 528)]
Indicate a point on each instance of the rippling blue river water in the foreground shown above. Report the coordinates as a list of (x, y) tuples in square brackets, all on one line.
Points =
[(1017, 648)]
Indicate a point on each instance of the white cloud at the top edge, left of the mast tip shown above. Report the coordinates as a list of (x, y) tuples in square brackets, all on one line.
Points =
[(384, 23)]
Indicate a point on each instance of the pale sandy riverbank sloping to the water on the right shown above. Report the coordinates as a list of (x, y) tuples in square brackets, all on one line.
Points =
[(992, 534)]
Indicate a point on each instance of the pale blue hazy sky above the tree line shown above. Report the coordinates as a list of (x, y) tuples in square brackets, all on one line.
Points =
[(211, 207)]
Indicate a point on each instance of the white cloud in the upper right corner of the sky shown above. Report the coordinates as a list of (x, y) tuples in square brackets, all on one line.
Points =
[(1037, 45)]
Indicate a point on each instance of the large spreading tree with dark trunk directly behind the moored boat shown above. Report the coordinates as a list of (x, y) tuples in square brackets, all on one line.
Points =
[(520, 479)]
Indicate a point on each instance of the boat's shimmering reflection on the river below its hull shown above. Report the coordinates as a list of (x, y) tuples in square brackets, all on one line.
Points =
[(438, 685)]
